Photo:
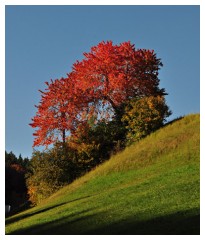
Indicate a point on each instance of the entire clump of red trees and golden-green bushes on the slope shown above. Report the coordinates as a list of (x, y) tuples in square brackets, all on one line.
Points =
[(109, 99)]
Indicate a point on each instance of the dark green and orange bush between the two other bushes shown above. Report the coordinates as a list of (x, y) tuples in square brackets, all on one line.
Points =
[(95, 143)]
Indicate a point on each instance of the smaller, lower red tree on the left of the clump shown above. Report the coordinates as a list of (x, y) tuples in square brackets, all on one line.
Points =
[(53, 118)]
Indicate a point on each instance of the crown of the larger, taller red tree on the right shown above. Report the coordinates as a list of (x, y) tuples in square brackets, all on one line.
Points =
[(113, 74)]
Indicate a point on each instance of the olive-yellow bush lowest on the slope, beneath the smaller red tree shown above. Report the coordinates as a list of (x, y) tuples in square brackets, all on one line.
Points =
[(49, 171)]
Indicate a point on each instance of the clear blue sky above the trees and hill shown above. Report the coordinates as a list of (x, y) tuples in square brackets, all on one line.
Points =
[(42, 43)]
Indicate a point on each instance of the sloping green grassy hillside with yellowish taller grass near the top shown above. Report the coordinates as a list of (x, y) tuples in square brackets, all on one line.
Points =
[(152, 187)]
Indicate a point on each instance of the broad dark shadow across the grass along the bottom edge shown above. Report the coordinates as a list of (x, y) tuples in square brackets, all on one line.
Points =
[(180, 223)]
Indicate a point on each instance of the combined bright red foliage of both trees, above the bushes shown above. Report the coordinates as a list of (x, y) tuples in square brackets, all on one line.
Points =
[(106, 78)]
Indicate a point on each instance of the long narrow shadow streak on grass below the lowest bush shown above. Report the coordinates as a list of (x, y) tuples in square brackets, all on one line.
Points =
[(17, 218)]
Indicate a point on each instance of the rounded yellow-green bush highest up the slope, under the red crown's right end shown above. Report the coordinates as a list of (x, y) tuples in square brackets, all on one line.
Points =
[(143, 116)]
